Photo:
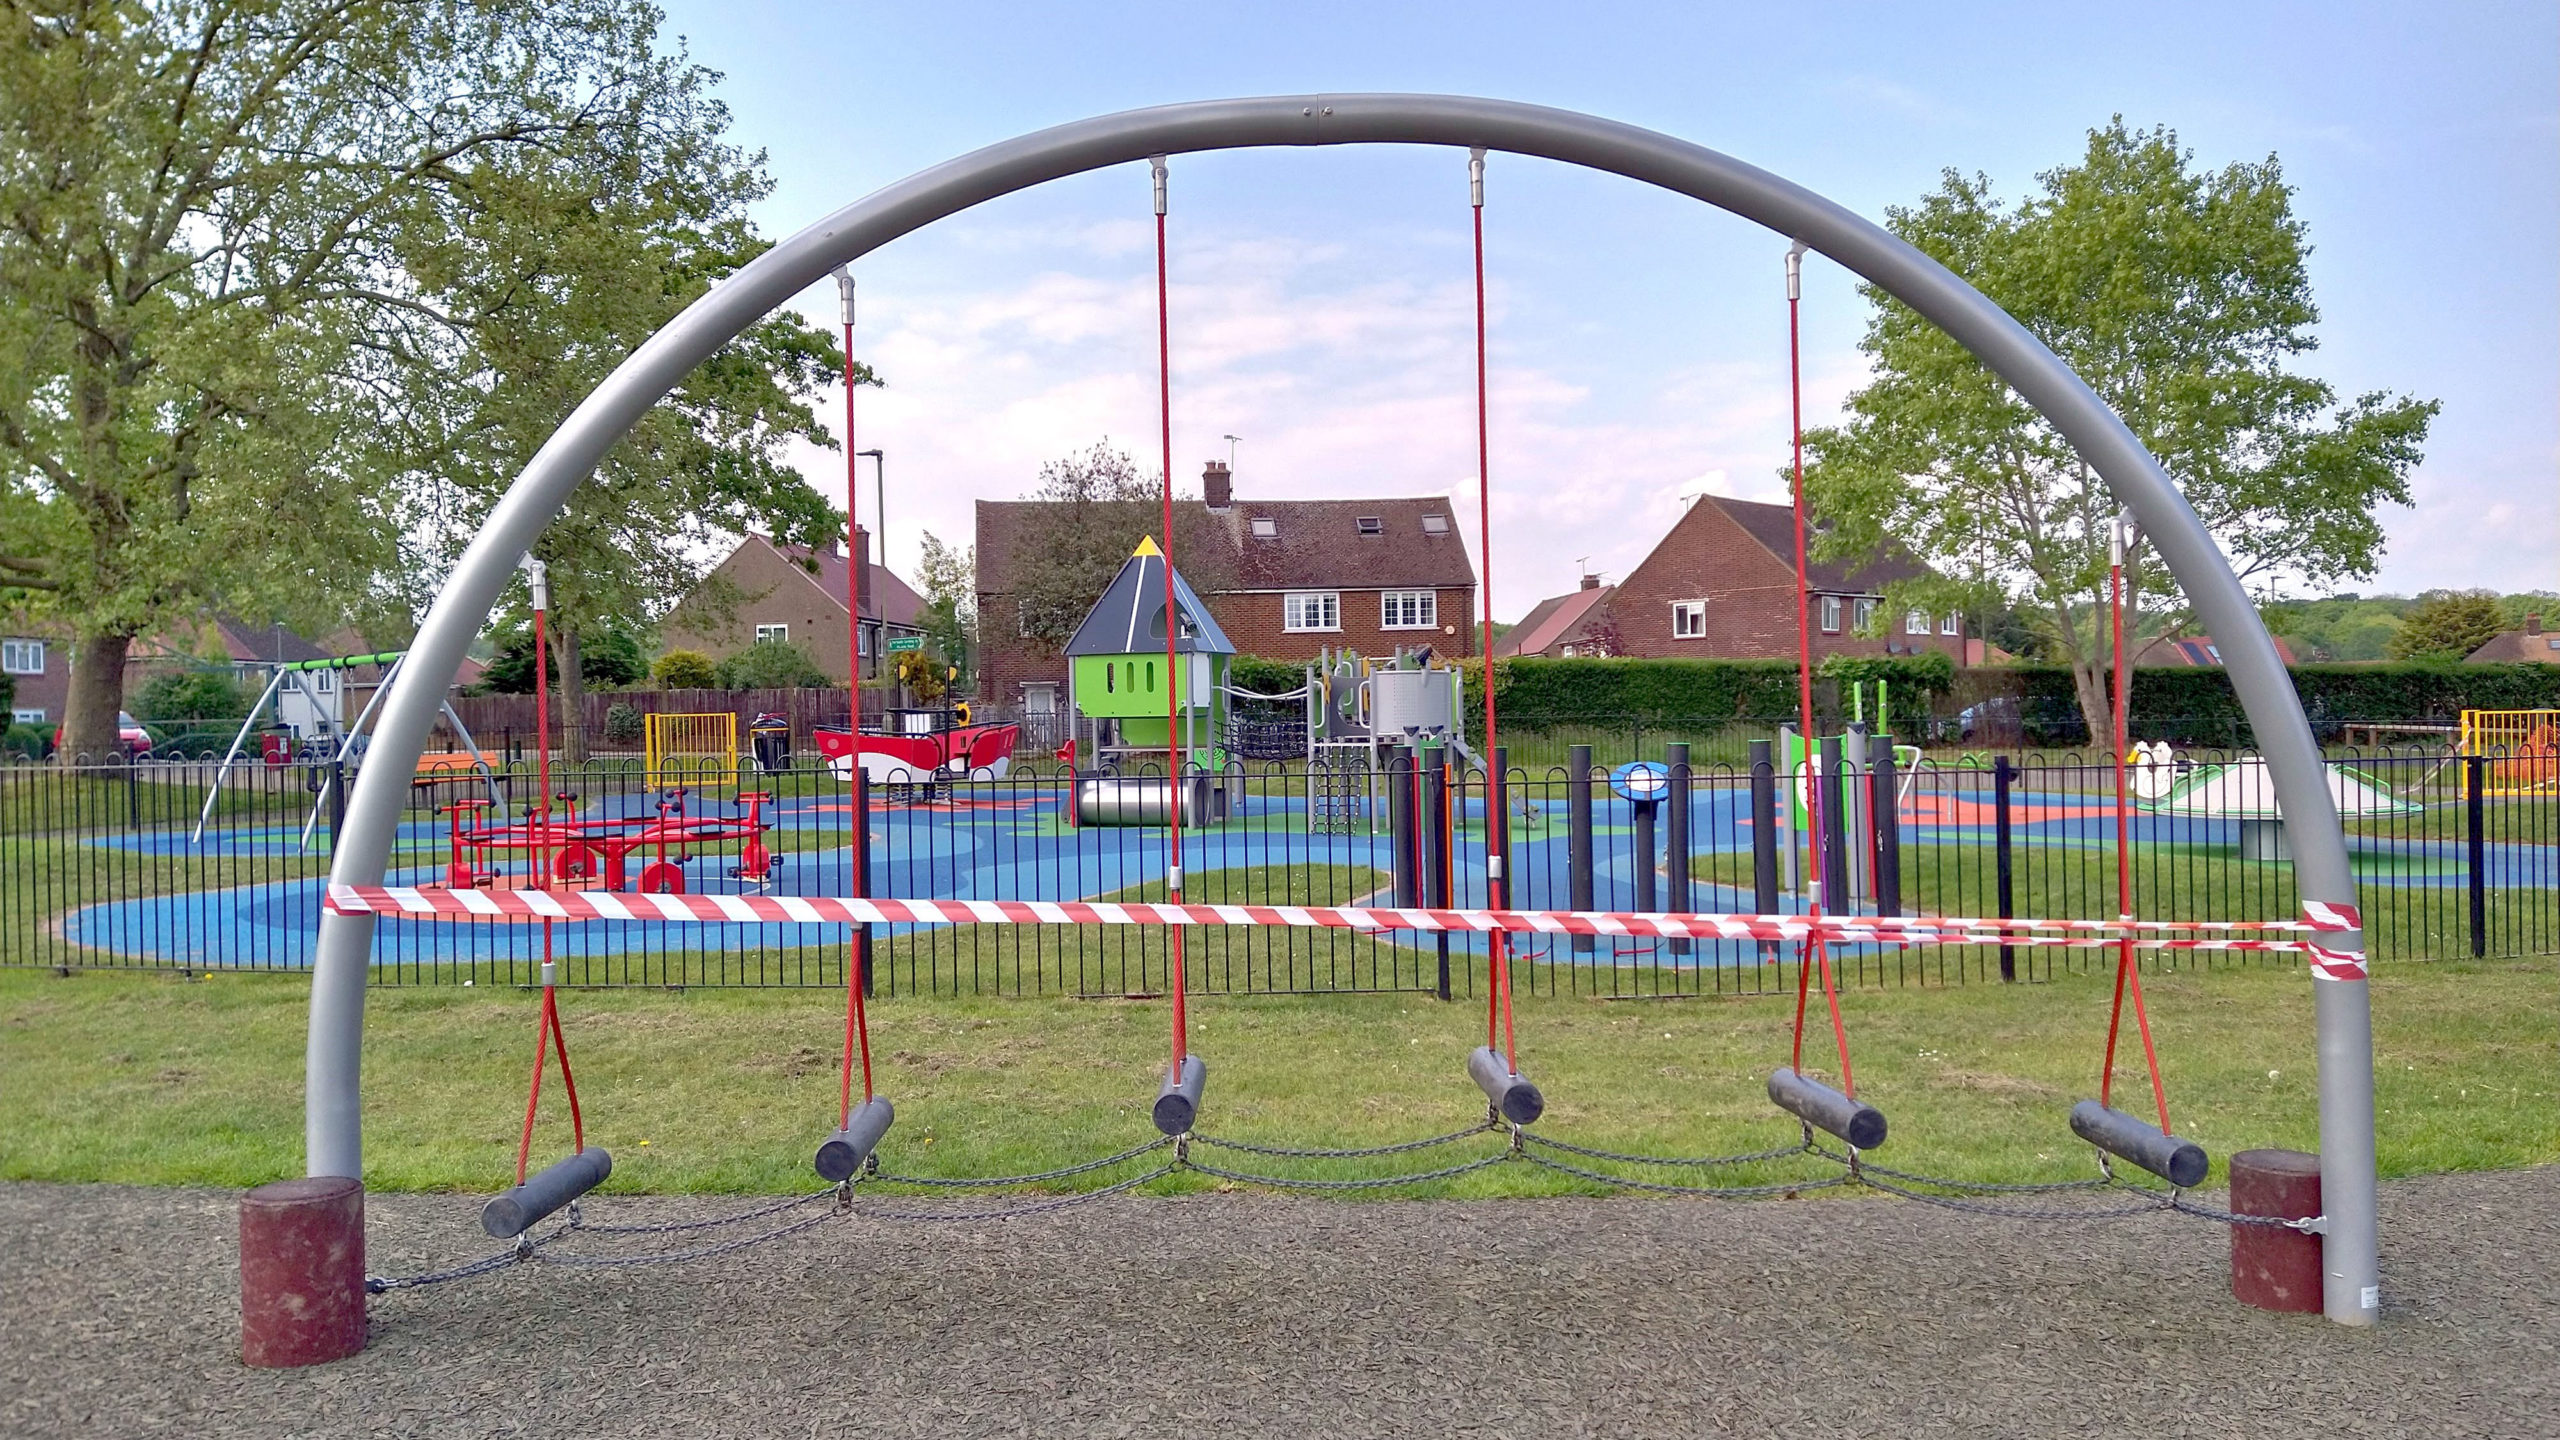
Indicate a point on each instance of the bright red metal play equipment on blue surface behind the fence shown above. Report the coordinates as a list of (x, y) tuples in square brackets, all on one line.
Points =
[(585, 849)]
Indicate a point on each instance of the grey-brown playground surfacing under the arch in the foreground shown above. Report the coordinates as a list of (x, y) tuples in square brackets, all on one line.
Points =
[(1261, 1316)]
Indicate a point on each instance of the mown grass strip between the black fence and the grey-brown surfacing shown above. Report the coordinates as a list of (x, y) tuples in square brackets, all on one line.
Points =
[(157, 1080)]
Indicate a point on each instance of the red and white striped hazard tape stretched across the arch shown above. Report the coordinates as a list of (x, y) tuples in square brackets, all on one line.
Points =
[(1844, 929)]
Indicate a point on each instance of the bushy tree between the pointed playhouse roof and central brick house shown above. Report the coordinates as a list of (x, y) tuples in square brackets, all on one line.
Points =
[(1102, 506)]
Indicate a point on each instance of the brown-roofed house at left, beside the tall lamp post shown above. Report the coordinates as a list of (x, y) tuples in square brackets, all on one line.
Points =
[(797, 596)]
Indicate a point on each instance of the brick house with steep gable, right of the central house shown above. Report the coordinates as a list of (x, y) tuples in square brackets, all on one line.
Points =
[(1722, 585)]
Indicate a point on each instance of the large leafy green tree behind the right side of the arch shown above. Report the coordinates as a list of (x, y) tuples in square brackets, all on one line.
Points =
[(2182, 299)]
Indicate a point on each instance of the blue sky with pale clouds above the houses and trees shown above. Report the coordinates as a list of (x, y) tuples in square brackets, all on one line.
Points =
[(1320, 299)]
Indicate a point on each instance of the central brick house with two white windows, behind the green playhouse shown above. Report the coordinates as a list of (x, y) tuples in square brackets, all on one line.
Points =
[(1307, 575)]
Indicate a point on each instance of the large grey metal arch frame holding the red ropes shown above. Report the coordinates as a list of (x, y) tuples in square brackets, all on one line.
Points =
[(2026, 365)]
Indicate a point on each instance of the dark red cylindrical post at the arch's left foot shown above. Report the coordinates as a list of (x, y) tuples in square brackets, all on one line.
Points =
[(303, 1272)]
